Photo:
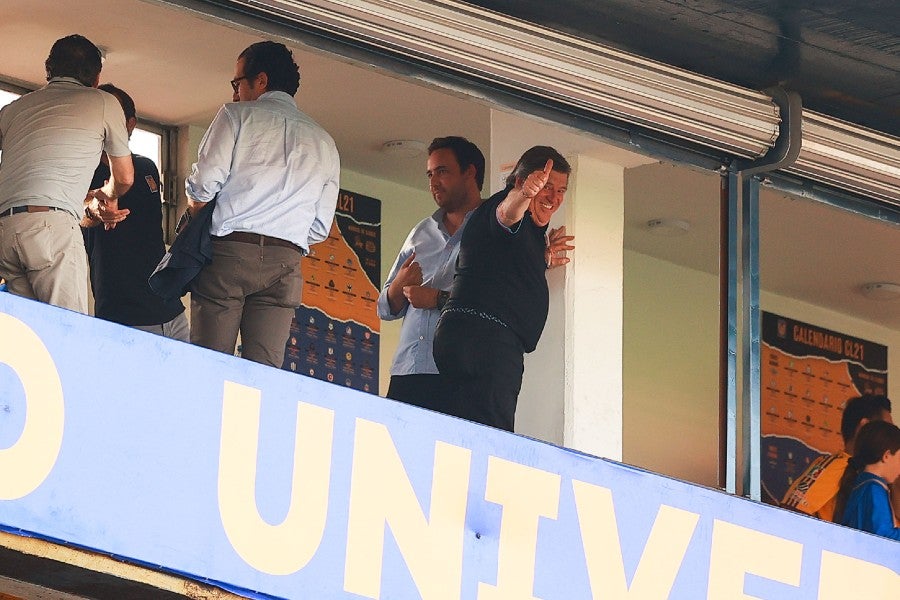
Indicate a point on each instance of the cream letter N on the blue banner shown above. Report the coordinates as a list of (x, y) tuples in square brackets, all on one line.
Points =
[(381, 494)]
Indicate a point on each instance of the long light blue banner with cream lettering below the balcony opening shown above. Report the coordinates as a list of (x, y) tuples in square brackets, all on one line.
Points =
[(278, 485)]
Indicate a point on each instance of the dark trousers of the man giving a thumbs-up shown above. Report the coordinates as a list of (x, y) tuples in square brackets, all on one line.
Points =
[(483, 362)]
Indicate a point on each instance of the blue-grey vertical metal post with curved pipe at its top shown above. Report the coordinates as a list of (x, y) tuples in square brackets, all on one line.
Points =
[(746, 175)]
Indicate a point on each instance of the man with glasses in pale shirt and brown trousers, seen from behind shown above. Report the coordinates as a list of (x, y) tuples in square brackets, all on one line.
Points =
[(275, 175)]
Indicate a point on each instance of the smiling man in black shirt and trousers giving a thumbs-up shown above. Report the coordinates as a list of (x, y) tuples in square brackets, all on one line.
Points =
[(499, 301)]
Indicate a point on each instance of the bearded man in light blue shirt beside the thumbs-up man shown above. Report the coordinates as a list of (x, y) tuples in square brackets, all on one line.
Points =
[(419, 282)]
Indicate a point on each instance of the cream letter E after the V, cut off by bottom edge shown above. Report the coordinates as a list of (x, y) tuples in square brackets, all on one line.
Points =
[(736, 551)]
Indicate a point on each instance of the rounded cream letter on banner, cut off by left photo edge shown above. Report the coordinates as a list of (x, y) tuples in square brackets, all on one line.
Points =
[(26, 464)]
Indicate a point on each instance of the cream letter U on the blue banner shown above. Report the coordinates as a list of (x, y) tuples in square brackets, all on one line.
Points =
[(275, 549)]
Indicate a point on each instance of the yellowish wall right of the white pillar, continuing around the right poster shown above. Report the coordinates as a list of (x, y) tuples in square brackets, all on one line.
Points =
[(670, 363)]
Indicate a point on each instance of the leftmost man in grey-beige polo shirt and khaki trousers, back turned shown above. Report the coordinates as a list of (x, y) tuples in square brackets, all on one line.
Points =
[(51, 141)]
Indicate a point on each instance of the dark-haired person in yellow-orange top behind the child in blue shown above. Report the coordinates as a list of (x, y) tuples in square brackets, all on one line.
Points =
[(815, 491)]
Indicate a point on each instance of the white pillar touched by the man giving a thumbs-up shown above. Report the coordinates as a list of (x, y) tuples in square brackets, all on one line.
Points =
[(594, 308)]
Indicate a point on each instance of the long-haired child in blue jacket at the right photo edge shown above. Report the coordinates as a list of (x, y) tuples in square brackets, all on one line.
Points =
[(864, 501)]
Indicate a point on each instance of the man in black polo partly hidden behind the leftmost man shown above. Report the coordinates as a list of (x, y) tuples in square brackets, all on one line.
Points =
[(121, 259)]
